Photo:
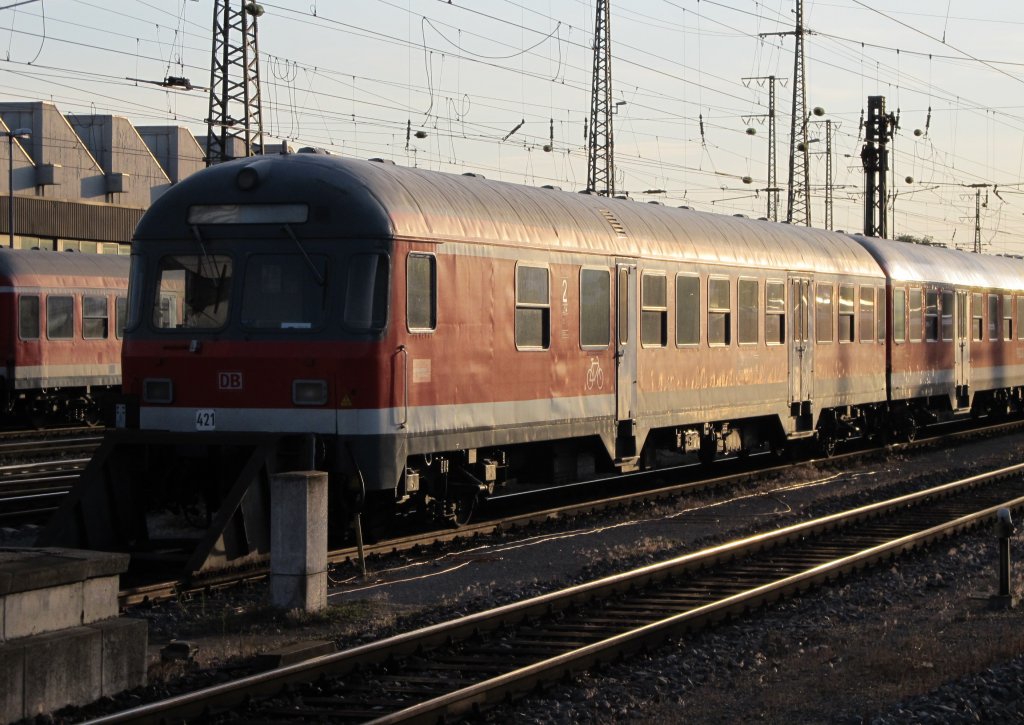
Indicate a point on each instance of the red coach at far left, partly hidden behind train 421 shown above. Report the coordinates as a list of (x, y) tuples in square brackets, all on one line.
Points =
[(64, 320)]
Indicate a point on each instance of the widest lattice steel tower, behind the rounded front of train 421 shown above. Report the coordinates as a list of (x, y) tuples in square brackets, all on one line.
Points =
[(236, 111)]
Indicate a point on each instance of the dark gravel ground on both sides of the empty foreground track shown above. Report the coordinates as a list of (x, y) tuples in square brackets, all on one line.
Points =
[(914, 642)]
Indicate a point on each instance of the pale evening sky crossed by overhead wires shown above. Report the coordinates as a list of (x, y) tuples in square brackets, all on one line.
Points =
[(489, 84)]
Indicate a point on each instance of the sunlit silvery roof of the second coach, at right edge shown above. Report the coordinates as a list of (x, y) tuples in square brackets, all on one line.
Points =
[(914, 263)]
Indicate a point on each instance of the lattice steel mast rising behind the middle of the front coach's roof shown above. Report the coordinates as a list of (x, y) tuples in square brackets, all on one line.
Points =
[(601, 144)]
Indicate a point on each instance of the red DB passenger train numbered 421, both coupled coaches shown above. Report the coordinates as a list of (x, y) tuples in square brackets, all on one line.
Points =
[(432, 337)]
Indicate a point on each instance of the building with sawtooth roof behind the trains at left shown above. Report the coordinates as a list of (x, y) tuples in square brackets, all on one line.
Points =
[(82, 183)]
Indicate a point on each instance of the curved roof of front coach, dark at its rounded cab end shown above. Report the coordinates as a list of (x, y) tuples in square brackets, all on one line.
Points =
[(356, 199)]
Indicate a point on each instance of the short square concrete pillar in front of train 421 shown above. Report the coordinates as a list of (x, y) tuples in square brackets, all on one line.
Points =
[(298, 540)]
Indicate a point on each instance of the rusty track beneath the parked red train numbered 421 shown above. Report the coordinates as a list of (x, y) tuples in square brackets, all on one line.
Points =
[(644, 491)]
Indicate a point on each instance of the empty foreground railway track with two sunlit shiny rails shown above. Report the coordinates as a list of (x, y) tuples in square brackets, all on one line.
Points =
[(456, 668)]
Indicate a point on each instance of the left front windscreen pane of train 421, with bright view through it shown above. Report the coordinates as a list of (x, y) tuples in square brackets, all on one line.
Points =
[(201, 283)]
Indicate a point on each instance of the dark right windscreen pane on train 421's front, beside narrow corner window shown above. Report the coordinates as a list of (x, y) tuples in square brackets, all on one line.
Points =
[(285, 292)]
